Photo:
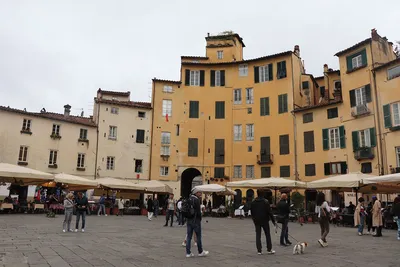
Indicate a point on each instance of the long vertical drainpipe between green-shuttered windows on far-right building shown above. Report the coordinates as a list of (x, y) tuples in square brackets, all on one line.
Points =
[(377, 120)]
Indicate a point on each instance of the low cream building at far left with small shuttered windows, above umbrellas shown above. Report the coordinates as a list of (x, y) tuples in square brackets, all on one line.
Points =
[(48, 141)]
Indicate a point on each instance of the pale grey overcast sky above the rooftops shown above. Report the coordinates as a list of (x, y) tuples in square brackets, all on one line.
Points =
[(58, 52)]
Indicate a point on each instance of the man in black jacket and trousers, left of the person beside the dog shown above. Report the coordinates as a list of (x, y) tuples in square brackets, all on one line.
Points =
[(261, 214)]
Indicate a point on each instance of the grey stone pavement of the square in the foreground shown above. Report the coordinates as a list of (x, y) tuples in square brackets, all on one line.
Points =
[(34, 240)]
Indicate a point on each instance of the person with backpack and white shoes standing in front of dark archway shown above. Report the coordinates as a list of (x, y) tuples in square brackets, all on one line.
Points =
[(194, 225)]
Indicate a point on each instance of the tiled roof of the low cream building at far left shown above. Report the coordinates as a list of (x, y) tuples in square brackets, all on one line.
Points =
[(53, 116)]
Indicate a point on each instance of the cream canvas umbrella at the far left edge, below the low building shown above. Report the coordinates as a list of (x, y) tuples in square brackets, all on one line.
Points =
[(15, 174)]
